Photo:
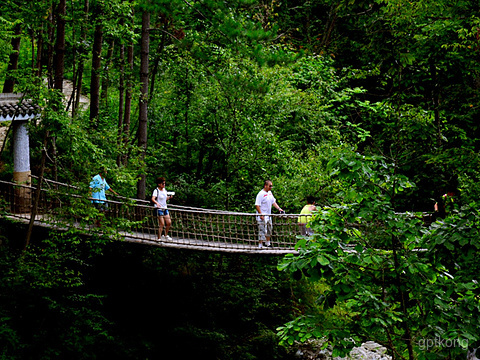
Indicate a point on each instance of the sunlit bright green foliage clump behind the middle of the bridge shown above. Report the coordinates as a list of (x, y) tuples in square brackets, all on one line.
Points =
[(241, 124)]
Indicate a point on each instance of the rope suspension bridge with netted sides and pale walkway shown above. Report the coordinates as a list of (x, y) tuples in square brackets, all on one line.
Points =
[(64, 207)]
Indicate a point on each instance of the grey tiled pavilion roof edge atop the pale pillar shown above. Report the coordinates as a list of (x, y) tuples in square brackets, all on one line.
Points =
[(12, 109)]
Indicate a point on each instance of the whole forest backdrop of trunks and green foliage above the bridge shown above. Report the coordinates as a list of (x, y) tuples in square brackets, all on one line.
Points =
[(219, 97)]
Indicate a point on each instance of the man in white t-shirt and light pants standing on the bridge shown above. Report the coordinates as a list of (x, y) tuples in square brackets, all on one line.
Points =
[(263, 204)]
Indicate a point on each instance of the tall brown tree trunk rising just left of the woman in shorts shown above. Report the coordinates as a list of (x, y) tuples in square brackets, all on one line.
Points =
[(143, 105)]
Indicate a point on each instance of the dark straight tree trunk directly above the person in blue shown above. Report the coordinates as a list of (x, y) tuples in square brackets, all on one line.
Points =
[(96, 67)]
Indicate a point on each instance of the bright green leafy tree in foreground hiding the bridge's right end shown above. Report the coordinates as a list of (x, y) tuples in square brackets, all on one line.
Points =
[(400, 283)]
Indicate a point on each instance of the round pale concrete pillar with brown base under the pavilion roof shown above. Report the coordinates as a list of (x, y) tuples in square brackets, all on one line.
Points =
[(21, 166)]
